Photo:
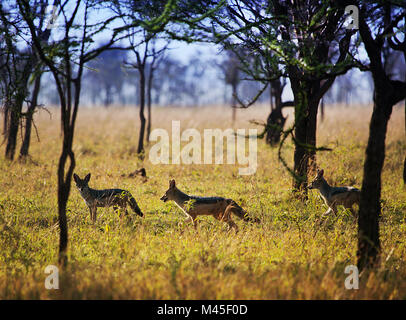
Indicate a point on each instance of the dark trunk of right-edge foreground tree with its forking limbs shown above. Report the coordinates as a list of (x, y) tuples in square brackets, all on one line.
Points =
[(387, 93)]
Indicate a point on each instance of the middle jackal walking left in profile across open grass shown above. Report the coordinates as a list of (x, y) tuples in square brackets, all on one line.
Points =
[(220, 208)]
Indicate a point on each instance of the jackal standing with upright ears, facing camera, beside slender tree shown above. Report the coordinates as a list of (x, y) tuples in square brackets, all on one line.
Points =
[(105, 198)]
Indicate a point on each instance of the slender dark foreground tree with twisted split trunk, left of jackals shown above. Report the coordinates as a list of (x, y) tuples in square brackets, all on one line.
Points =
[(66, 59)]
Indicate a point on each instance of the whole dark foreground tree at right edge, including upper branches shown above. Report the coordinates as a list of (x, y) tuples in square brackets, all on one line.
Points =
[(385, 19)]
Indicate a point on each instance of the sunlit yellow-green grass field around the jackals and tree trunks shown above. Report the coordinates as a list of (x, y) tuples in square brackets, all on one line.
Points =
[(288, 256)]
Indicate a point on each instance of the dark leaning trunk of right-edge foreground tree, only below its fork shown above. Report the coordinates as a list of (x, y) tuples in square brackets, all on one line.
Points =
[(370, 208)]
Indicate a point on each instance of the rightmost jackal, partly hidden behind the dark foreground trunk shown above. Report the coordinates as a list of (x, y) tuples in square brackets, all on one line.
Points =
[(335, 196)]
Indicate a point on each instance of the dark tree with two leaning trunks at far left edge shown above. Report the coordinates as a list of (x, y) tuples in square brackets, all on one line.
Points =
[(20, 67)]
